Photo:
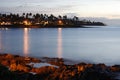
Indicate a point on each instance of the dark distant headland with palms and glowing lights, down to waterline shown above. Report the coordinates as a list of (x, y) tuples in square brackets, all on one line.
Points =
[(37, 20)]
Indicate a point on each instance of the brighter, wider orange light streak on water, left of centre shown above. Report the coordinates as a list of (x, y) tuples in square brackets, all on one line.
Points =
[(26, 42)]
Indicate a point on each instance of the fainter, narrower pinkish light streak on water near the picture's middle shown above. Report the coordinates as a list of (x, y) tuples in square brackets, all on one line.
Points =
[(59, 49)]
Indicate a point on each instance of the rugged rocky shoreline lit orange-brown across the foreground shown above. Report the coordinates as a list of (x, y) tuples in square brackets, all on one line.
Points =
[(15, 67)]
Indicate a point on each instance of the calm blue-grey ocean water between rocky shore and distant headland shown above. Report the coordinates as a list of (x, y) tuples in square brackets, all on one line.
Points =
[(96, 45)]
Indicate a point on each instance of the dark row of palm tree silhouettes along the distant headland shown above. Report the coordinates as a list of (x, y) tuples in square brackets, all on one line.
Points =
[(42, 19)]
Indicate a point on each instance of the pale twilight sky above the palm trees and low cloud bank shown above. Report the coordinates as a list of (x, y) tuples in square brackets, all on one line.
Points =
[(81, 8)]
